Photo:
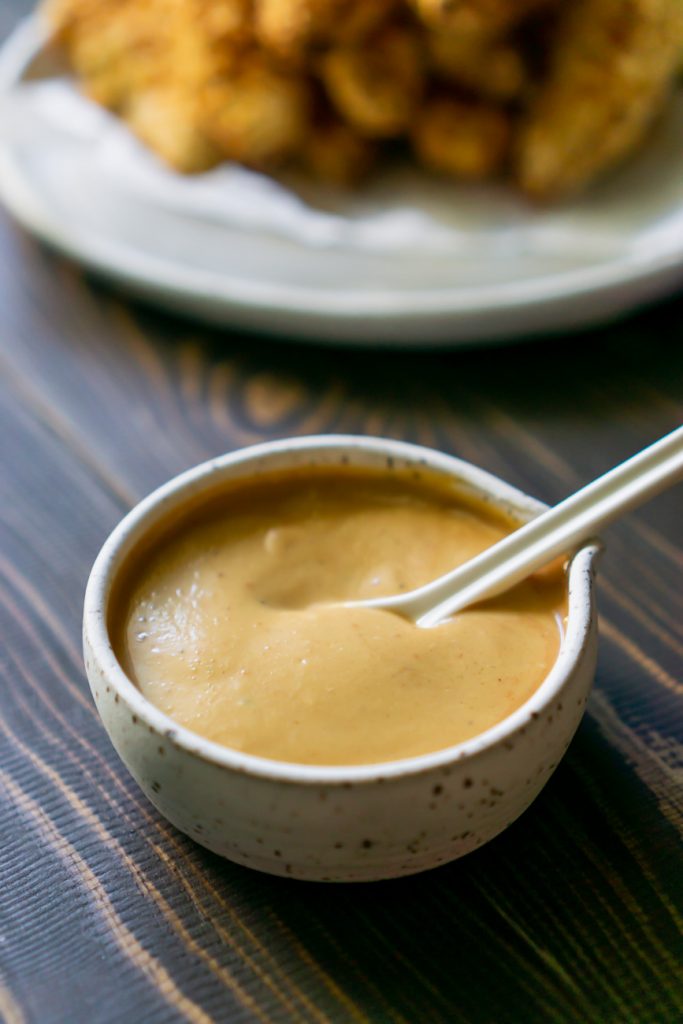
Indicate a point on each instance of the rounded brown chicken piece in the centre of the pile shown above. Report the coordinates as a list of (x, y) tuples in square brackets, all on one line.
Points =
[(376, 87)]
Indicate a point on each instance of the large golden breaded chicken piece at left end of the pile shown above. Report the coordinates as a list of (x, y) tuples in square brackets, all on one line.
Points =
[(183, 75)]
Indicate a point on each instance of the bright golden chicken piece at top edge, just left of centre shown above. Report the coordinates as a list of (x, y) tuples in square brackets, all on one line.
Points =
[(291, 29)]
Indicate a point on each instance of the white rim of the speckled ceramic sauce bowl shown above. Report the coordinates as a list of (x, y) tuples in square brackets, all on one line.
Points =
[(176, 492)]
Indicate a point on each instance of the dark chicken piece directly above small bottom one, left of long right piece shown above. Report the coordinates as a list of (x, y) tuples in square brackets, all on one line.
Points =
[(494, 69)]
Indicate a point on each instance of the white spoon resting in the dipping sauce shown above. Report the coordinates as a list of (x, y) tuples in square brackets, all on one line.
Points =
[(558, 532)]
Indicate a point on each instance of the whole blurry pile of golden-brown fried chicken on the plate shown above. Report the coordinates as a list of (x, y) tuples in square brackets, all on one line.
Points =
[(315, 82)]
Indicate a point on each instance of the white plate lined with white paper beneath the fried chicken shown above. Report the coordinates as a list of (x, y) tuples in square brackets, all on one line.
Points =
[(410, 261)]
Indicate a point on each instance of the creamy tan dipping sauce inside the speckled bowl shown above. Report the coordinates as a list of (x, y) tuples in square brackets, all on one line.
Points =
[(228, 623)]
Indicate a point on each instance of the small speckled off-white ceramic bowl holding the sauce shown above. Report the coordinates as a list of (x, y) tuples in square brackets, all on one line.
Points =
[(337, 824)]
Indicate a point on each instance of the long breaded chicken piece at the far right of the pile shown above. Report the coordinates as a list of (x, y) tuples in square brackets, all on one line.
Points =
[(613, 66)]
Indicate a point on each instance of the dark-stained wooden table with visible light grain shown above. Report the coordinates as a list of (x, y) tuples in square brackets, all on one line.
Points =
[(107, 914)]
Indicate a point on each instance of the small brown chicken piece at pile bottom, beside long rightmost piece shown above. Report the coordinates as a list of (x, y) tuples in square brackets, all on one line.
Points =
[(462, 139)]
